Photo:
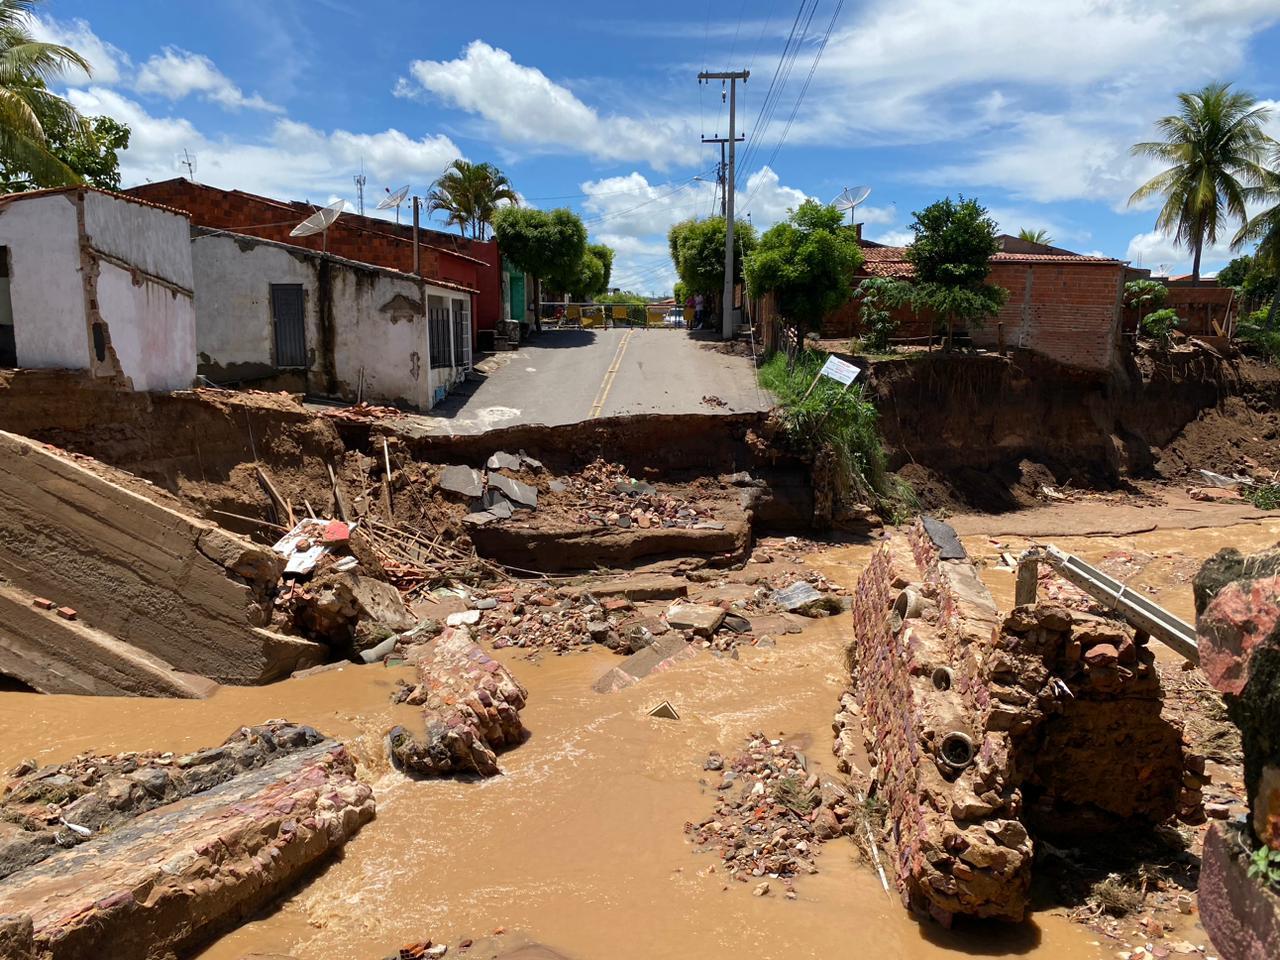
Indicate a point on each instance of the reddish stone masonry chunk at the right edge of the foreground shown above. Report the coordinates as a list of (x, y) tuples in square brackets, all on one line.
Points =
[(1238, 627)]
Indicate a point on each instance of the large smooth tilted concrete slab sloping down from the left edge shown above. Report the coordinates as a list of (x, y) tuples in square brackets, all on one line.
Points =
[(152, 577)]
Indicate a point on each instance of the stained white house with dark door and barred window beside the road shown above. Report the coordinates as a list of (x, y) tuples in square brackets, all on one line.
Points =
[(276, 316)]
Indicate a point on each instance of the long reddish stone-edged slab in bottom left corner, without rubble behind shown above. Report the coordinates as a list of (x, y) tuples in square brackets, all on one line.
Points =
[(171, 879)]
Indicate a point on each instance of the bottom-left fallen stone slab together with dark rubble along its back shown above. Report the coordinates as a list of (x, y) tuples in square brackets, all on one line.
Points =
[(157, 854)]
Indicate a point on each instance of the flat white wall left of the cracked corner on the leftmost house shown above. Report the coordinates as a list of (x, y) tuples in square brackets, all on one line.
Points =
[(47, 287)]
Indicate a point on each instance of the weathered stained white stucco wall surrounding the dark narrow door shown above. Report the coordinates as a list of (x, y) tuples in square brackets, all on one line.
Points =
[(356, 319)]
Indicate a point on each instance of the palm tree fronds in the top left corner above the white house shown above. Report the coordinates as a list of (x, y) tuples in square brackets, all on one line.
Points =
[(26, 104)]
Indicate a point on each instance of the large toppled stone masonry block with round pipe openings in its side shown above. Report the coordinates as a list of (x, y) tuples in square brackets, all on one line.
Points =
[(988, 732)]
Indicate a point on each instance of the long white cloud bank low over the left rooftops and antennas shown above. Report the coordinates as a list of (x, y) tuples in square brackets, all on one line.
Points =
[(294, 162)]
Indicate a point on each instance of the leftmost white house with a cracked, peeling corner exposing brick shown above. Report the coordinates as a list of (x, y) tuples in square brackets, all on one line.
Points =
[(100, 282)]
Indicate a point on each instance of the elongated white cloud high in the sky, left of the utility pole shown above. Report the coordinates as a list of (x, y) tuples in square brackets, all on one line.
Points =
[(523, 106)]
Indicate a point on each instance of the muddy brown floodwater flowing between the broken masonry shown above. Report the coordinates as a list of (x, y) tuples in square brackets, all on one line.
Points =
[(580, 845)]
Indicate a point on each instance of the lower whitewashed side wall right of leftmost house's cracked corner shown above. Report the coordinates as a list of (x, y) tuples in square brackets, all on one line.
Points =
[(153, 330)]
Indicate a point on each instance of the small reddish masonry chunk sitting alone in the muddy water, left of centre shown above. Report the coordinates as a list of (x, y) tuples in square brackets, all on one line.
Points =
[(470, 710)]
